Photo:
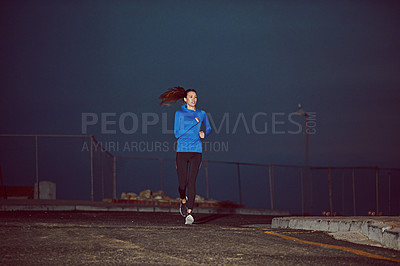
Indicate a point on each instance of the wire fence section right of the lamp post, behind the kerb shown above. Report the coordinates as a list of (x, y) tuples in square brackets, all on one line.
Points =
[(355, 190)]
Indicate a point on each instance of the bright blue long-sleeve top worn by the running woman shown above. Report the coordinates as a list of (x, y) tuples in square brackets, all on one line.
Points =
[(187, 129)]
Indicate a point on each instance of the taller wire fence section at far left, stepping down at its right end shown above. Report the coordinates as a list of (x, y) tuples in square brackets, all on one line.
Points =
[(81, 168)]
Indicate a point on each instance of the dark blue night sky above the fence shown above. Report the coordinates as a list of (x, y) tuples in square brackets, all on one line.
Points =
[(340, 59)]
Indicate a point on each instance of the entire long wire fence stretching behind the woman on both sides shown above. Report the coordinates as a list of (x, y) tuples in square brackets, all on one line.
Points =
[(84, 170)]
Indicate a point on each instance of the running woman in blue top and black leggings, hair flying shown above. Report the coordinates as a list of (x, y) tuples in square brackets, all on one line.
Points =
[(189, 146)]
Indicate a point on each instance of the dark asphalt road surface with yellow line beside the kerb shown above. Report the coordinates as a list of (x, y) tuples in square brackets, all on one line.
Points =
[(127, 238)]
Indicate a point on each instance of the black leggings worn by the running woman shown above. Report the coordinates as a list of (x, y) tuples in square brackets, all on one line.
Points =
[(183, 160)]
